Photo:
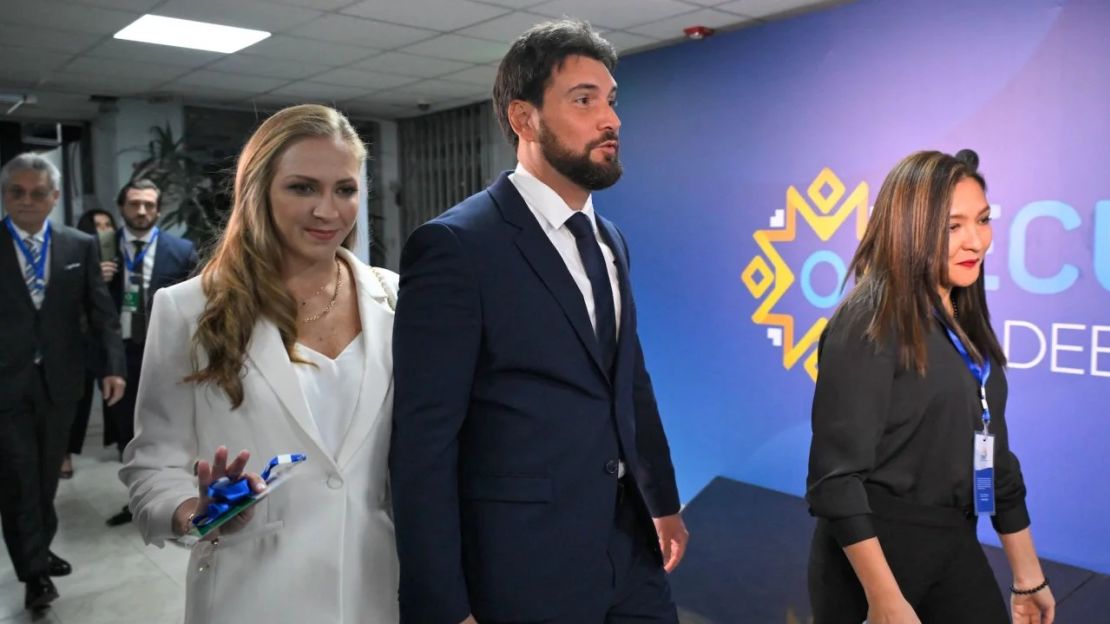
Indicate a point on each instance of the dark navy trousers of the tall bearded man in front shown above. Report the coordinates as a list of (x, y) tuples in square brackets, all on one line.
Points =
[(640, 592)]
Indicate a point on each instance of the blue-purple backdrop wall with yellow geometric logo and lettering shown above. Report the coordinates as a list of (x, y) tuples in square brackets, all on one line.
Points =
[(751, 162)]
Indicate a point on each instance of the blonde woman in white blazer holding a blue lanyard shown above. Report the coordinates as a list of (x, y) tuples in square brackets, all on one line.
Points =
[(281, 346)]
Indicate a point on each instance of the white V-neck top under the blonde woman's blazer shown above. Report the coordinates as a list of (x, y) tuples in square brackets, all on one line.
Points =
[(331, 390)]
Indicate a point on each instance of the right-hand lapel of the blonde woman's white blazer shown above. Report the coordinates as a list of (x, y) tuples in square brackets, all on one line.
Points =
[(378, 364)]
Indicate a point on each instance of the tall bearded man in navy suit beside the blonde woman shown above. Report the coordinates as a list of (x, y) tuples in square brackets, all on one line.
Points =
[(531, 476)]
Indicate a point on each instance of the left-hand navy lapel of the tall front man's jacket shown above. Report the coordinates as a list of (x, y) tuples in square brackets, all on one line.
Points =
[(548, 265)]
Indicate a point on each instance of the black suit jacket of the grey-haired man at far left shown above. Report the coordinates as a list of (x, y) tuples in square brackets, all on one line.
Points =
[(74, 289)]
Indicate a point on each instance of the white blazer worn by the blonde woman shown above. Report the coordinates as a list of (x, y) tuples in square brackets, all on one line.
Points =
[(321, 548)]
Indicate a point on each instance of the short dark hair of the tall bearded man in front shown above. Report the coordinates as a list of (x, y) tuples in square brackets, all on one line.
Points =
[(530, 63)]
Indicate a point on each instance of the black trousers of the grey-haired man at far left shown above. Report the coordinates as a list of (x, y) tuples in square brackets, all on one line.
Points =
[(34, 437)]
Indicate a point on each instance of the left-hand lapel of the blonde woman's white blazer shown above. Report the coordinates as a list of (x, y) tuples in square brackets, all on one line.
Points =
[(268, 355)]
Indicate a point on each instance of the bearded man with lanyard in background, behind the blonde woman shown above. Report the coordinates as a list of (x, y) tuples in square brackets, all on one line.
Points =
[(150, 259)]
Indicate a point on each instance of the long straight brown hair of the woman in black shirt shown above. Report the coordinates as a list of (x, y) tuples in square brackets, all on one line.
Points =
[(903, 261)]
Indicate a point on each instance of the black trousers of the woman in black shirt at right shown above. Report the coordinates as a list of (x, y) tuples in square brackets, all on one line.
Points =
[(935, 557)]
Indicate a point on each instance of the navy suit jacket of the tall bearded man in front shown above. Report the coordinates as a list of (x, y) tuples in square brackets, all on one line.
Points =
[(507, 429)]
